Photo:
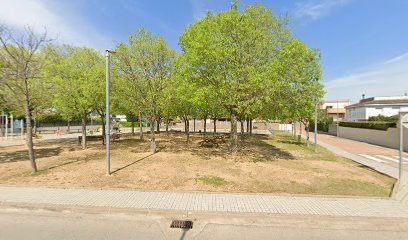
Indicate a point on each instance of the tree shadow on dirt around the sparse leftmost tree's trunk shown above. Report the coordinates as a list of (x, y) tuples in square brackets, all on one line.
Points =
[(22, 155)]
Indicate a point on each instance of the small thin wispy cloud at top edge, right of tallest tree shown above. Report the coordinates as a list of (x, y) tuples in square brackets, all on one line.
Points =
[(315, 9)]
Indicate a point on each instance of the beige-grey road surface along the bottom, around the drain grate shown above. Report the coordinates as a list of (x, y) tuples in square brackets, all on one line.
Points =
[(17, 223)]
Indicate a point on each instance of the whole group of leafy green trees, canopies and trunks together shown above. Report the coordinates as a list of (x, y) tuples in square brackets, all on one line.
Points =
[(237, 65)]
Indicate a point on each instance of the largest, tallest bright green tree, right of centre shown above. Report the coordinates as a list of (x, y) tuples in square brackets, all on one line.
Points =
[(231, 52)]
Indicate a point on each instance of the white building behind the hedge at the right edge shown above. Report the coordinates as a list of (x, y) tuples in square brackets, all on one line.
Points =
[(374, 106)]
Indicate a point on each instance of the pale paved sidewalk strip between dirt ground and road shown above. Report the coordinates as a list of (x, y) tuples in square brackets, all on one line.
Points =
[(204, 202)]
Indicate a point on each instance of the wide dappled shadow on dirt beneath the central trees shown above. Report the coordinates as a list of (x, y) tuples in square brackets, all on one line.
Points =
[(257, 148)]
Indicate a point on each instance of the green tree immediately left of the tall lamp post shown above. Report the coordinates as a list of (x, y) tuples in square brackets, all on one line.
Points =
[(78, 83)]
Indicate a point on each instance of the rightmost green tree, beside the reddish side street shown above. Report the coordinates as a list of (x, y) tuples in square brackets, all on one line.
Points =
[(300, 75)]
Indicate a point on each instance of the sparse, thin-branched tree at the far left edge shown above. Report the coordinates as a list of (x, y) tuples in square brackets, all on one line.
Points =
[(23, 56)]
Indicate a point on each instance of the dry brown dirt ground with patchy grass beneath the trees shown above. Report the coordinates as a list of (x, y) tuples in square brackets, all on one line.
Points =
[(266, 164)]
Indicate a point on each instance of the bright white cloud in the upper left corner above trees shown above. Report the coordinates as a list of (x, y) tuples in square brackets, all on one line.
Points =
[(36, 13)]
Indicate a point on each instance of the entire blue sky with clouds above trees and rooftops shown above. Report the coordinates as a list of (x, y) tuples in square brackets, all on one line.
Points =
[(364, 43)]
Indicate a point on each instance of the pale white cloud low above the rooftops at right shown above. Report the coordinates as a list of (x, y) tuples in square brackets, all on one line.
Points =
[(389, 78)]
